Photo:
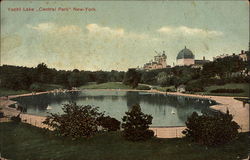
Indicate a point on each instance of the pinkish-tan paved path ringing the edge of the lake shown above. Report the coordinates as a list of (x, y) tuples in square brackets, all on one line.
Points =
[(239, 110)]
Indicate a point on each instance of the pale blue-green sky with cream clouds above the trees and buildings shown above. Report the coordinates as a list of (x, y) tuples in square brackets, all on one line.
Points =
[(117, 35)]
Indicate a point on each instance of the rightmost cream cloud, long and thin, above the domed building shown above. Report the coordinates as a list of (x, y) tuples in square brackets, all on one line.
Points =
[(186, 31)]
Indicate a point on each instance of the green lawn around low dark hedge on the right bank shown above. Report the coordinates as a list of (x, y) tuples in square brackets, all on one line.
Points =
[(243, 86)]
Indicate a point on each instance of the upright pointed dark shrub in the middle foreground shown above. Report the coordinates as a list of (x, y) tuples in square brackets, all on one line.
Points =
[(136, 124)]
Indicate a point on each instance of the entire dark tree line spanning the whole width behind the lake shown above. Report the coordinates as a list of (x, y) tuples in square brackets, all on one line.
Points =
[(221, 71)]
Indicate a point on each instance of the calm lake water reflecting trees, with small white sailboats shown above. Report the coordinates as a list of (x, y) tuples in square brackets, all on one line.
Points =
[(166, 110)]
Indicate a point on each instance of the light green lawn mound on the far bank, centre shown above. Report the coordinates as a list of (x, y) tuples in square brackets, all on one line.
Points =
[(108, 85)]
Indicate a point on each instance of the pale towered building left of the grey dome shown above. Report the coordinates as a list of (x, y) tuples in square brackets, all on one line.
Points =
[(159, 62)]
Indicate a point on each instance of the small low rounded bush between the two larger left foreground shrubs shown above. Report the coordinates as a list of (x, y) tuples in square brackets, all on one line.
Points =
[(109, 123)]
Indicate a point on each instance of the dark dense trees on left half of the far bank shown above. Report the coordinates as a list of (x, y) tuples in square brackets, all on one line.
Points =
[(36, 79)]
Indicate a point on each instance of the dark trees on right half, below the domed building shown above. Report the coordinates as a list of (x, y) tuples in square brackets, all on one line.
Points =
[(219, 72)]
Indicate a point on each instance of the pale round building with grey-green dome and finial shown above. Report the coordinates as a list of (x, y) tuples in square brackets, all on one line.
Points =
[(185, 57)]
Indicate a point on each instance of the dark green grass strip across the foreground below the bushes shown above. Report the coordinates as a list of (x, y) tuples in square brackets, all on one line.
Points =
[(22, 141)]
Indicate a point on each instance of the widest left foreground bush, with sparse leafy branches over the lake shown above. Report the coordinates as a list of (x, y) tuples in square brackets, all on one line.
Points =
[(77, 121)]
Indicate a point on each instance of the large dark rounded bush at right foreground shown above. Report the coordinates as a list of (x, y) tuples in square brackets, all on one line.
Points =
[(211, 129)]
